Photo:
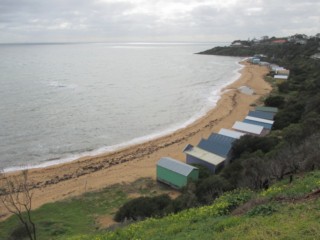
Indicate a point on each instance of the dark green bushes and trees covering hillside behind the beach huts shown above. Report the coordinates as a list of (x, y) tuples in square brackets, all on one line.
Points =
[(257, 162)]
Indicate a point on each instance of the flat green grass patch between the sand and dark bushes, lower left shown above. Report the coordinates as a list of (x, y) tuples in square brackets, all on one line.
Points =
[(80, 215)]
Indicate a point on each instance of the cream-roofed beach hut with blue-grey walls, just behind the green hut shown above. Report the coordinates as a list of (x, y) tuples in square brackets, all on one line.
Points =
[(196, 155)]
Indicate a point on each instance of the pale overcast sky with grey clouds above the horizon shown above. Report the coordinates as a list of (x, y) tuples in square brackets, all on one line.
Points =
[(154, 20)]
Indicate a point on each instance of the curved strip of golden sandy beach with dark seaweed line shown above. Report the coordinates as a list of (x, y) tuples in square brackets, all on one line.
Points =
[(93, 173)]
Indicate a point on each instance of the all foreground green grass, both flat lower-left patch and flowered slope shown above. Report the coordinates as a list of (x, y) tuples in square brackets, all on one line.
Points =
[(291, 217)]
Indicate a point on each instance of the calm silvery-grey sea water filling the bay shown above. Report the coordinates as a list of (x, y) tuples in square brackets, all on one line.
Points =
[(59, 102)]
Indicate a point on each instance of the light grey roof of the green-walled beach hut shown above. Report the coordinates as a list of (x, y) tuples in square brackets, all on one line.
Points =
[(176, 166)]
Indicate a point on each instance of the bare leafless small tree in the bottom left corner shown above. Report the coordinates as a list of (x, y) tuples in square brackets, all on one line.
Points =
[(16, 197)]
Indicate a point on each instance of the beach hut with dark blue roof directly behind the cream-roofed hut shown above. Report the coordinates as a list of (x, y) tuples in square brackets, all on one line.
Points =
[(217, 144)]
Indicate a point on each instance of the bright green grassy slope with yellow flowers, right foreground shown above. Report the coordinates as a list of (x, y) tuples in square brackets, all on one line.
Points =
[(271, 219)]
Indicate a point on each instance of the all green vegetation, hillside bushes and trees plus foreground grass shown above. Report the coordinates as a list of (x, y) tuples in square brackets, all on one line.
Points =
[(288, 152)]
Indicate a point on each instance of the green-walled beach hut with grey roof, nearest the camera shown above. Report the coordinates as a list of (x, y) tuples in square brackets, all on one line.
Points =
[(175, 173)]
